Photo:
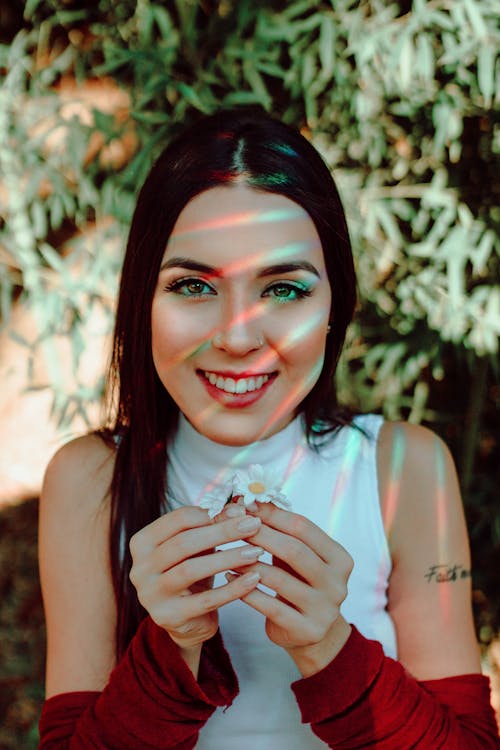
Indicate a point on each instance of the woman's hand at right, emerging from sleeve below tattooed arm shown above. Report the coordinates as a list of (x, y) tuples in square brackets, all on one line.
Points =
[(309, 575)]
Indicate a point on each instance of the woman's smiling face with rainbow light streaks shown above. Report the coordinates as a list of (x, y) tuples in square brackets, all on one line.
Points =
[(240, 312)]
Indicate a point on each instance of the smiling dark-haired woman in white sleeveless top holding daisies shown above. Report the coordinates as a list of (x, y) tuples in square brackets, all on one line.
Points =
[(159, 549)]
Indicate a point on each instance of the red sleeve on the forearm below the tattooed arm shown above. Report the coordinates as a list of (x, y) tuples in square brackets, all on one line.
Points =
[(365, 699)]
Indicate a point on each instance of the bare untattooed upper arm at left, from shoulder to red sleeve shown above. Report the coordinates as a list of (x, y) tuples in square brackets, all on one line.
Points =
[(74, 565)]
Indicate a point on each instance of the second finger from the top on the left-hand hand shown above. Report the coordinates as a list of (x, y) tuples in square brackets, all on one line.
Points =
[(193, 541)]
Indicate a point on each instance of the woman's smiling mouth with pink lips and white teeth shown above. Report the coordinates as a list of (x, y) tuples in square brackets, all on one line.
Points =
[(234, 391)]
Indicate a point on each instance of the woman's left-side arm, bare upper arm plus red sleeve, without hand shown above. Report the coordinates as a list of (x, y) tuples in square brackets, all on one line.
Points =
[(151, 698)]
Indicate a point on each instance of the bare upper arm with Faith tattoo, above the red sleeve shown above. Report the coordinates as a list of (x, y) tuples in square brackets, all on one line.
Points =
[(429, 595)]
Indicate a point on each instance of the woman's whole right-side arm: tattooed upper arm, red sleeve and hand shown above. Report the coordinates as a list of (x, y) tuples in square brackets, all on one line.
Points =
[(354, 696)]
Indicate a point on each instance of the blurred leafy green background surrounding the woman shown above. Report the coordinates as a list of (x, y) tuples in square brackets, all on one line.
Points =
[(401, 100)]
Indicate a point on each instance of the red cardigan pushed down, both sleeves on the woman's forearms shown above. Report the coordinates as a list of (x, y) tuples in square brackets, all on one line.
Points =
[(361, 699)]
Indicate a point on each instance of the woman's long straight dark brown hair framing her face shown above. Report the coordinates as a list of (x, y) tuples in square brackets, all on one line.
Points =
[(244, 143)]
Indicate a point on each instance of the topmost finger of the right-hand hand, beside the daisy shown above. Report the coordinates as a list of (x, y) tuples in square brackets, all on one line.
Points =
[(299, 527)]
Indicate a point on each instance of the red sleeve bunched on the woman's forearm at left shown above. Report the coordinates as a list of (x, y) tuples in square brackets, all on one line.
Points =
[(152, 699)]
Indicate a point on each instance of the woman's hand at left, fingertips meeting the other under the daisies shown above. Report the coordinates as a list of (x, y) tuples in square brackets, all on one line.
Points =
[(174, 562)]
